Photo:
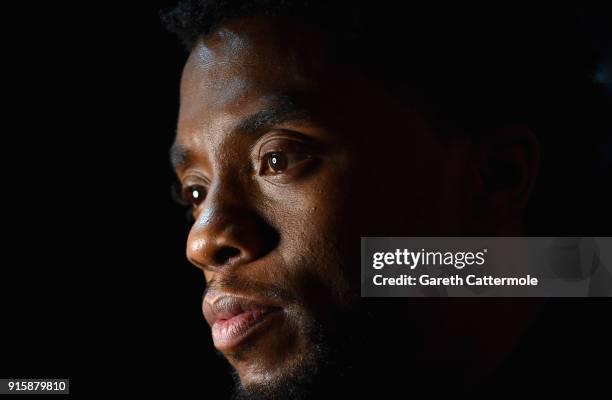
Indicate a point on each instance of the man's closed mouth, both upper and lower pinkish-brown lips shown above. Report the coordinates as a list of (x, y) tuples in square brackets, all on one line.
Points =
[(234, 318)]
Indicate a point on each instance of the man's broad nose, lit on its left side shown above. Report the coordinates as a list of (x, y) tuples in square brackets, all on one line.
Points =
[(228, 233)]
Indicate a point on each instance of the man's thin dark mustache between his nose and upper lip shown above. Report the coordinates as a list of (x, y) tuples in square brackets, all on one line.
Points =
[(235, 284)]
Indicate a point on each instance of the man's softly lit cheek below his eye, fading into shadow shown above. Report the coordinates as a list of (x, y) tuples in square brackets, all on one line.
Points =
[(315, 243)]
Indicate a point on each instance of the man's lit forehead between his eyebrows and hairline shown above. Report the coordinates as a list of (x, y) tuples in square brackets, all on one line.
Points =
[(248, 58)]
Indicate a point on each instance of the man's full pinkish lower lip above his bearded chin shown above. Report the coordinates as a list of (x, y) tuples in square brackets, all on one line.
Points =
[(228, 333)]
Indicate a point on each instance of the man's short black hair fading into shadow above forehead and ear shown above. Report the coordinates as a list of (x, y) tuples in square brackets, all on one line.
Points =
[(467, 68)]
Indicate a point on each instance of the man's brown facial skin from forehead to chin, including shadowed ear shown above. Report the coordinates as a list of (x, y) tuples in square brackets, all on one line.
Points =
[(289, 157)]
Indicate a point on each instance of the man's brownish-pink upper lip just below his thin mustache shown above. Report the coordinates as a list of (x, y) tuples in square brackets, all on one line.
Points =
[(223, 305)]
